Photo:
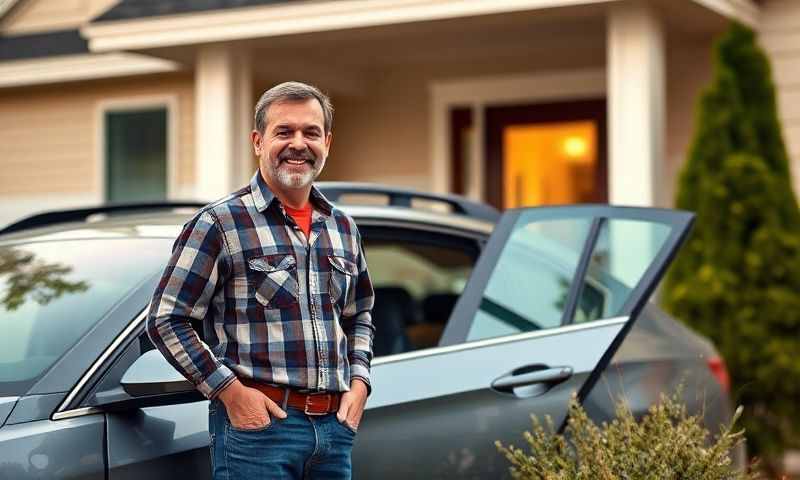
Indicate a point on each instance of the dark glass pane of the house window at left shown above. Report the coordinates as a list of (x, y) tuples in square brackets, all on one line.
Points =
[(136, 155)]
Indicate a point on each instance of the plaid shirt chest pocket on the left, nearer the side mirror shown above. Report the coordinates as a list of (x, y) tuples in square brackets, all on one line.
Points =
[(275, 279)]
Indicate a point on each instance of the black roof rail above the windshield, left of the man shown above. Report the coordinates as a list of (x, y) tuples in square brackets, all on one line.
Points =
[(81, 214)]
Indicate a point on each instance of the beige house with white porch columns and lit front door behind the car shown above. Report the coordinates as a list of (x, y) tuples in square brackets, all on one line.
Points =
[(514, 102)]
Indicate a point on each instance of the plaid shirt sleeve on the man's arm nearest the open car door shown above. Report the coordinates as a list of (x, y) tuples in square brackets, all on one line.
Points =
[(357, 323)]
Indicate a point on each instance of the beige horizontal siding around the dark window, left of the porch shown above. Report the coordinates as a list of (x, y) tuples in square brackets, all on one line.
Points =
[(49, 135)]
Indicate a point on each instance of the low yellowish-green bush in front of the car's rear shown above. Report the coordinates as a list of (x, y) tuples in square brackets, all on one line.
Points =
[(667, 444)]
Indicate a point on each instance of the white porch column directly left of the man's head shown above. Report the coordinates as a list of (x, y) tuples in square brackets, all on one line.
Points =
[(223, 101)]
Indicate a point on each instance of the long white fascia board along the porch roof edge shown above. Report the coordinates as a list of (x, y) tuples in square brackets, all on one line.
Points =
[(299, 17)]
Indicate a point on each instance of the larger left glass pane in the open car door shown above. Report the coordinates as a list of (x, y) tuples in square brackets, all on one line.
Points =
[(529, 285)]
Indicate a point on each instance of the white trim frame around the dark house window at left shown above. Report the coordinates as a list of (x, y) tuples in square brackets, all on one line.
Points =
[(170, 102)]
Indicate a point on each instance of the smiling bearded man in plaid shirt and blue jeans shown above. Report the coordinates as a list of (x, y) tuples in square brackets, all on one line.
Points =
[(277, 277)]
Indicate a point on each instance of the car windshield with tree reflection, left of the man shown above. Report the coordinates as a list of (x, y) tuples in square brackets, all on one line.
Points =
[(52, 293)]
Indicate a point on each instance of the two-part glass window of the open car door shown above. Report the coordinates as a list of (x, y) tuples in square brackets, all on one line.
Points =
[(529, 286)]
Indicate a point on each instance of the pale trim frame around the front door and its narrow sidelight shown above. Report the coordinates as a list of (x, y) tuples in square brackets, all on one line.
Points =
[(477, 93)]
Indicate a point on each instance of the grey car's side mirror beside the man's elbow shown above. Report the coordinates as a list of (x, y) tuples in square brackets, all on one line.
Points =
[(149, 382)]
